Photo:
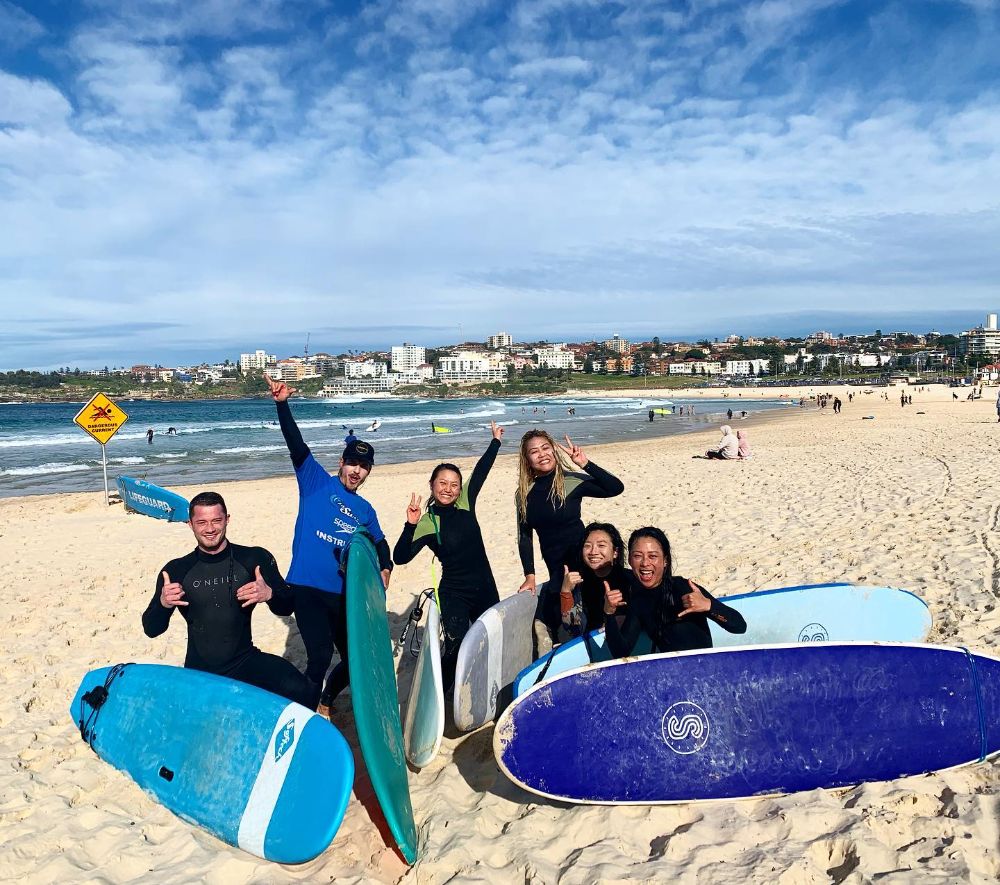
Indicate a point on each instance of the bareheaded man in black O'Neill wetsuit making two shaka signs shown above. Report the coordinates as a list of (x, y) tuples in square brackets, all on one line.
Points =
[(216, 588)]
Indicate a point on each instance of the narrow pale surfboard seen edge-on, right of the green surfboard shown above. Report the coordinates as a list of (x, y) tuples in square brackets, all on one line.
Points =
[(423, 726)]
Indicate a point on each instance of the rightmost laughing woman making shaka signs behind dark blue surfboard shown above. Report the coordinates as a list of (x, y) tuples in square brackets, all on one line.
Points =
[(673, 611)]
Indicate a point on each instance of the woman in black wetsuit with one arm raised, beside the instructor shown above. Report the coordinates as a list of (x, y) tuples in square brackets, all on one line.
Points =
[(450, 530)]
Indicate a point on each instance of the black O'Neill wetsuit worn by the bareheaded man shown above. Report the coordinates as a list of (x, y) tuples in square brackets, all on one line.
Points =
[(219, 636)]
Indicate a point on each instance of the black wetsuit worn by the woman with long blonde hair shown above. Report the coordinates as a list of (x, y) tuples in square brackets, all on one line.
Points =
[(560, 529)]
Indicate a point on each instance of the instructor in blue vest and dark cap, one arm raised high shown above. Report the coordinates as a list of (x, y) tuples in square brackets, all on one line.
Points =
[(330, 511)]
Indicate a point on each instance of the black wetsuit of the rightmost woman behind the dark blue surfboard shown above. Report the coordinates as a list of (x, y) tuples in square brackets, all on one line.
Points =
[(655, 611)]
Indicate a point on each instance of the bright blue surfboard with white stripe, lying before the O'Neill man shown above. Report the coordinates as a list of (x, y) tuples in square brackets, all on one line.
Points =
[(254, 769)]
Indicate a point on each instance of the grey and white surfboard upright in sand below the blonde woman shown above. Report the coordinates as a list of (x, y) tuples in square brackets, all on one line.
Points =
[(497, 647)]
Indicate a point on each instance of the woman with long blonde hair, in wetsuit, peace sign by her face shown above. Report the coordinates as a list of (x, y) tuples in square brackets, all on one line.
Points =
[(549, 499)]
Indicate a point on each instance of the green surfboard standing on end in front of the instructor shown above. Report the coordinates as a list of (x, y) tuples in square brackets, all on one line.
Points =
[(373, 692)]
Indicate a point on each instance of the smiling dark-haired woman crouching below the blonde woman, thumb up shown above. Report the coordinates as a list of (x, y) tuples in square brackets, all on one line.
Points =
[(581, 599)]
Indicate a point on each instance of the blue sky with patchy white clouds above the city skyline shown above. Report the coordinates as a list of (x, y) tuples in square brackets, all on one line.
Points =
[(187, 181)]
